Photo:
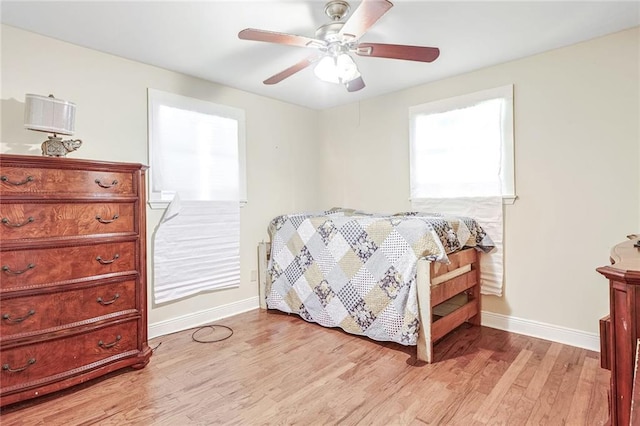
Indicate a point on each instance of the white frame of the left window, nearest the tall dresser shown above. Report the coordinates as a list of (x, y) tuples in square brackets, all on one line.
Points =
[(158, 97)]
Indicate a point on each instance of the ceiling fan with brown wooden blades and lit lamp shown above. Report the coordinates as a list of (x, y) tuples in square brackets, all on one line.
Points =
[(335, 40)]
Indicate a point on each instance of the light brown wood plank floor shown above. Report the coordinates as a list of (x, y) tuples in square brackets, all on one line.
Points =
[(279, 369)]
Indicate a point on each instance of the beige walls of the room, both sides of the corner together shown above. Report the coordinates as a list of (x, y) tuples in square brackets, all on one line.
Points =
[(577, 157)]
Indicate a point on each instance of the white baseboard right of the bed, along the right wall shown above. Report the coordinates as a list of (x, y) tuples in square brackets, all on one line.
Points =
[(567, 336)]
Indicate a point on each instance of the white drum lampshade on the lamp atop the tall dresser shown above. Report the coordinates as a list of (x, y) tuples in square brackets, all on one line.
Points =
[(48, 114)]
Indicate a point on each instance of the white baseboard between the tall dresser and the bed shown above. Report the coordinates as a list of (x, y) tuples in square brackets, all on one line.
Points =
[(196, 319)]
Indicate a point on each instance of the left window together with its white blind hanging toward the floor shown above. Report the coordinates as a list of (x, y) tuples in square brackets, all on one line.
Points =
[(197, 164)]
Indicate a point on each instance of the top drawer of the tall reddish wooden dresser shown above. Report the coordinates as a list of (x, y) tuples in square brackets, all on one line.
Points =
[(25, 180)]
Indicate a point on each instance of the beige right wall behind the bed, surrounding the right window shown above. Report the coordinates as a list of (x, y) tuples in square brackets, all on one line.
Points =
[(577, 151)]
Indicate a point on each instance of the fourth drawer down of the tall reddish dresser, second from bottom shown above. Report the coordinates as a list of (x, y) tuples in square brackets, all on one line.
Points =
[(56, 310)]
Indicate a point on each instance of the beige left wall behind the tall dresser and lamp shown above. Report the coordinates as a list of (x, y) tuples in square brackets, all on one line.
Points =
[(111, 94)]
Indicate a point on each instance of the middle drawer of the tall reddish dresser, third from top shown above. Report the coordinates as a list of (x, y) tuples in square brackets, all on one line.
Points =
[(38, 267)]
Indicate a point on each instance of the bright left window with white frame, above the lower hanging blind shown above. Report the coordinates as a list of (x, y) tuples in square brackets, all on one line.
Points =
[(196, 149)]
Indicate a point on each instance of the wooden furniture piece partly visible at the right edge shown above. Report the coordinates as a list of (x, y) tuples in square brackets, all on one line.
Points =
[(622, 329)]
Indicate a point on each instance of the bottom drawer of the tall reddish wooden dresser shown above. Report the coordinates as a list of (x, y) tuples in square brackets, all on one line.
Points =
[(40, 362)]
